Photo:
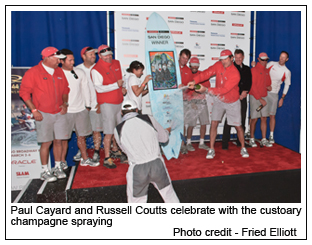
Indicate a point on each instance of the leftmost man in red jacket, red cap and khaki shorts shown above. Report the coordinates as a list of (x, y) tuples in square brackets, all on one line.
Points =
[(44, 90)]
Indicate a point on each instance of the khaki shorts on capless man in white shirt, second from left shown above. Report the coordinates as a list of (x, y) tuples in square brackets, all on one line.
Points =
[(79, 121)]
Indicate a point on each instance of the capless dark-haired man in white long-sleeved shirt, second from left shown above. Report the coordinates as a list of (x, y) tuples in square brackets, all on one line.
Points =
[(78, 105)]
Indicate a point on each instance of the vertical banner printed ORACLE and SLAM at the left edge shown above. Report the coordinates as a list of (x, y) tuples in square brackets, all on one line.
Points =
[(25, 159)]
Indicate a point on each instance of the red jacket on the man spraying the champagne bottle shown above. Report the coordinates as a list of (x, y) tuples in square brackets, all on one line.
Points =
[(227, 80)]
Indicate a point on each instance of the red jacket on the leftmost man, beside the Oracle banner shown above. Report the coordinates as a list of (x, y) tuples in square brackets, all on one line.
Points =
[(45, 91)]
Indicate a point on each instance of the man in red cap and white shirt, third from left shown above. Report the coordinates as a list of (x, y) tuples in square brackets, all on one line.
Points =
[(88, 56)]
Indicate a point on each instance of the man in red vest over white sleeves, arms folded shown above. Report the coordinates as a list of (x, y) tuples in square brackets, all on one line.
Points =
[(107, 79)]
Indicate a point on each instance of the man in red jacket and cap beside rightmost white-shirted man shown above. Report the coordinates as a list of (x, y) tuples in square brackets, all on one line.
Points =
[(261, 84)]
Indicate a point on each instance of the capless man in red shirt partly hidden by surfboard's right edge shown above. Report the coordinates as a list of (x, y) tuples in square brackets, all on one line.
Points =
[(186, 77)]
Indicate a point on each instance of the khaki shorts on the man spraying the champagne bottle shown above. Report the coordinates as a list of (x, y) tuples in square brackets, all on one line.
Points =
[(232, 110)]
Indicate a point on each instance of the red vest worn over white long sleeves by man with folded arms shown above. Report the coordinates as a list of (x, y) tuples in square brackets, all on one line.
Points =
[(111, 73)]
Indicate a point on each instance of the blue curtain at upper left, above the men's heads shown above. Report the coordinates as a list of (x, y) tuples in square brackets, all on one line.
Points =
[(32, 31)]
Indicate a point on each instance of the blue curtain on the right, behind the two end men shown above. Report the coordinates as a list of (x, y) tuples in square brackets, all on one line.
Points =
[(277, 31)]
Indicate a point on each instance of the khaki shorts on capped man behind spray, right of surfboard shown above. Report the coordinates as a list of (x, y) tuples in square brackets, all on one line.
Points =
[(195, 109)]
